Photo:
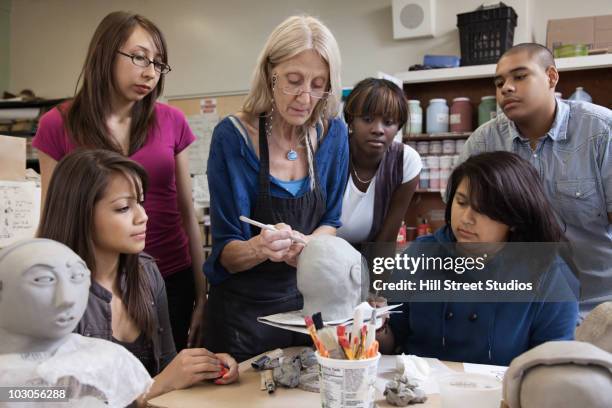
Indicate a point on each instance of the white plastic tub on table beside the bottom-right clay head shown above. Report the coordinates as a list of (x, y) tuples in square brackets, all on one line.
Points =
[(472, 390)]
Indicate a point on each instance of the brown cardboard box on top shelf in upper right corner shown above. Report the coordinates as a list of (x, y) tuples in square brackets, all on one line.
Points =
[(595, 32)]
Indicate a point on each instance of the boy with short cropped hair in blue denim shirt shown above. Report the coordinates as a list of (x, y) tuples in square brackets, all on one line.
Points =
[(569, 144)]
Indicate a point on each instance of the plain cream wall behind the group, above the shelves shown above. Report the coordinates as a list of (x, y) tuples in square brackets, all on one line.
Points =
[(213, 44)]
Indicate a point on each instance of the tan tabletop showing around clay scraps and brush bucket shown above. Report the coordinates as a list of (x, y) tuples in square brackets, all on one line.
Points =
[(246, 393)]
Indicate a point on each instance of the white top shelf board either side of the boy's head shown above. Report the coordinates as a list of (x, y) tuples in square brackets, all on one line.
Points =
[(488, 71)]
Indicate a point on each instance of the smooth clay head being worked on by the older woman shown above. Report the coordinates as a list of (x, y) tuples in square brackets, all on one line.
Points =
[(331, 277)]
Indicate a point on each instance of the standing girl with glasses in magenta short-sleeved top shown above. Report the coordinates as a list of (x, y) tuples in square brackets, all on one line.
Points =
[(116, 109)]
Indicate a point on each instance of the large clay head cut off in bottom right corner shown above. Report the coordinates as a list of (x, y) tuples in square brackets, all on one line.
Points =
[(559, 374)]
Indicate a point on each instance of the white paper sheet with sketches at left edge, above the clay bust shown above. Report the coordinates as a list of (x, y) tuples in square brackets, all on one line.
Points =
[(19, 211)]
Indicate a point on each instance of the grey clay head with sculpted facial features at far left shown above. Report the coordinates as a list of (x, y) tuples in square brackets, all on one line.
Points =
[(44, 289)]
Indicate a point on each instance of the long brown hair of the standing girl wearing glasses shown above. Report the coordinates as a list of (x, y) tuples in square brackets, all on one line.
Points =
[(85, 117)]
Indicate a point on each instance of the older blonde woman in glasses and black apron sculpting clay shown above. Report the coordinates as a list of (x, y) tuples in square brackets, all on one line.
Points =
[(282, 161)]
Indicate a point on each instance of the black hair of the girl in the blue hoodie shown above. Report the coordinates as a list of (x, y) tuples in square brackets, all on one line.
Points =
[(507, 189)]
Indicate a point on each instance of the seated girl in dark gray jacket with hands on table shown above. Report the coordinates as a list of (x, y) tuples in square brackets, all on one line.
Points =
[(94, 206)]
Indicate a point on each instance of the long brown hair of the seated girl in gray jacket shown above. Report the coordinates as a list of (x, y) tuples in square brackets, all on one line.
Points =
[(79, 181)]
